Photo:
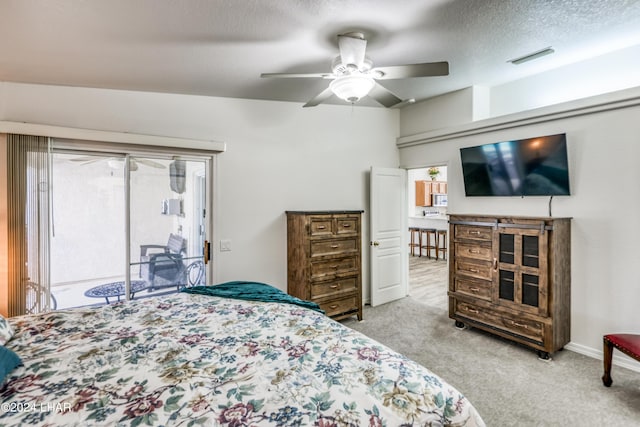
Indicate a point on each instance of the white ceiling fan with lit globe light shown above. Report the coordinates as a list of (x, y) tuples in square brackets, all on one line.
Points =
[(354, 77)]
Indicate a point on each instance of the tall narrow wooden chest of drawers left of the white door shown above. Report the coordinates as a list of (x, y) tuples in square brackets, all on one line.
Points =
[(324, 260)]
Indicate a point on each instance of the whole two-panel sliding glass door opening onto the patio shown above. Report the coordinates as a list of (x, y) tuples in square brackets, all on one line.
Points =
[(126, 225)]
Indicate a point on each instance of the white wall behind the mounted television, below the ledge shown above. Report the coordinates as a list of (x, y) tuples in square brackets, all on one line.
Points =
[(604, 152)]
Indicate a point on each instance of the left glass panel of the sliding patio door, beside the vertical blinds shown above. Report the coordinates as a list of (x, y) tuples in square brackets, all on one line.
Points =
[(88, 224)]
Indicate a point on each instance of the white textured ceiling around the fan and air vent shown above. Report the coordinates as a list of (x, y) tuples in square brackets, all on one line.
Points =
[(220, 47)]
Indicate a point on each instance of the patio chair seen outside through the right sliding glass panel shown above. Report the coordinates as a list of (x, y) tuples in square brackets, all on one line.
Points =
[(163, 265)]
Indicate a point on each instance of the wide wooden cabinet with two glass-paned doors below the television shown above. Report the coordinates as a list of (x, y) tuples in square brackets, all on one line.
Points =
[(511, 276)]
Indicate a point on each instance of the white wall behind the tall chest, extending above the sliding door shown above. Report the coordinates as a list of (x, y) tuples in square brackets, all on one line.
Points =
[(279, 157)]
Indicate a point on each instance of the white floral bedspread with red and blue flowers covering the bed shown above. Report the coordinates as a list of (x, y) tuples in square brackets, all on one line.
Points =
[(199, 360)]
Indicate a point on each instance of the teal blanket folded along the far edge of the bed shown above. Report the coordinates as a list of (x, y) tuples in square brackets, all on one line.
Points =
[(252, 291)]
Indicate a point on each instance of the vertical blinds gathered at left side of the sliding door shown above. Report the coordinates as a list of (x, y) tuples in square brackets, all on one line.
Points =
[(28, 163)]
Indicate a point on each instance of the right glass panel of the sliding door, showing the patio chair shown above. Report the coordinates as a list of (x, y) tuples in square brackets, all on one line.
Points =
[(168, 223)]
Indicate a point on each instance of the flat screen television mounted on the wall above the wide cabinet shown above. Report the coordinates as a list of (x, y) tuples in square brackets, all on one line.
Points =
[(525, 167)]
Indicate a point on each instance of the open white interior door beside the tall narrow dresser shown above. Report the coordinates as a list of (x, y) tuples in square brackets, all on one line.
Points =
[(388, 219)]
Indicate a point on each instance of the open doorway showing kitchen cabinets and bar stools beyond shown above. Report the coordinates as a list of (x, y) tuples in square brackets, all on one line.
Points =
[(427, 210)]
